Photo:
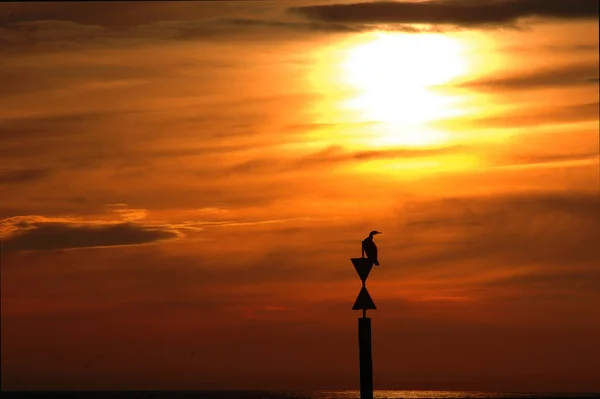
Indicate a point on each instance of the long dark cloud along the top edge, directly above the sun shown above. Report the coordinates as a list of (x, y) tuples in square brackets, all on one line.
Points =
[(454, 12)]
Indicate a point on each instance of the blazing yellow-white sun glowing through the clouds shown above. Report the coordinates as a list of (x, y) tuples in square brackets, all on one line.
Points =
[(393, 76)]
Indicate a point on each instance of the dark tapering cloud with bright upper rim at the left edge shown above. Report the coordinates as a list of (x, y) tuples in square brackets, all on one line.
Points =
[(37, 234)]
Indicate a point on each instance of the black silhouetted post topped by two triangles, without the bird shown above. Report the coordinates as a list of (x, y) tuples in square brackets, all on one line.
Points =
[(364, 302)]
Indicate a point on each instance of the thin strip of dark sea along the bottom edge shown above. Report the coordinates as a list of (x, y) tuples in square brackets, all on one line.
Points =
[(348, 394)]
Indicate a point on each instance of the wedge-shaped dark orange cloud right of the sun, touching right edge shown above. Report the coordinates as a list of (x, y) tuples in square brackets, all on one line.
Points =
[(562, 76)]
